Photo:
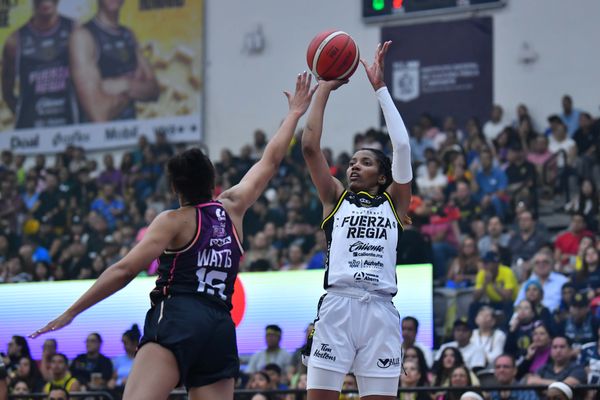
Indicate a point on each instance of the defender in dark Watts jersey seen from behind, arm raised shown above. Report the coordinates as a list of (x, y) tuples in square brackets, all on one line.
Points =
[(189, 336)]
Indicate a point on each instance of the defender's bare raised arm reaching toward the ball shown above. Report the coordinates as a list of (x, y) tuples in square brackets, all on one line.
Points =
[(241, 196)]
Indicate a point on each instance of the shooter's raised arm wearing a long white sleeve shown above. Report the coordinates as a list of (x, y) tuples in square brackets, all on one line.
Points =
[(400, 188)]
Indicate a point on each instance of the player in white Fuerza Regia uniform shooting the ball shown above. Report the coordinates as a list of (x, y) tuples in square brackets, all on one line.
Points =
[(357, 327)]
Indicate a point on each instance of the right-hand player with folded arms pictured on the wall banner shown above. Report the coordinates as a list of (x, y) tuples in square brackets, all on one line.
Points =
[(109, 71)]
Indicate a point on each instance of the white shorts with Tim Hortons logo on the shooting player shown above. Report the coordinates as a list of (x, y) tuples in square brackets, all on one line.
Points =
[(357, 335)]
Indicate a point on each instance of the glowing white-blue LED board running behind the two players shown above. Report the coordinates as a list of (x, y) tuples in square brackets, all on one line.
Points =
[(288, 299)]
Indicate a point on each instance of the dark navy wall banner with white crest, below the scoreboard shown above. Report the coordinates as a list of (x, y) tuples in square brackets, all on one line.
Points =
[(441, 68)]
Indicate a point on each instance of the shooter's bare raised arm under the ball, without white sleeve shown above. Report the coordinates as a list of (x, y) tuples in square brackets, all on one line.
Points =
[(328, 187)]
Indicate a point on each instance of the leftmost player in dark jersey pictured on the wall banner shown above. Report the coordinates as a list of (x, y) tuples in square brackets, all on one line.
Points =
[(37, 54)]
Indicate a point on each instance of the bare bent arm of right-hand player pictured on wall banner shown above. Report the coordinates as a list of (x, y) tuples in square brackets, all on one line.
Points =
[(100, 101)]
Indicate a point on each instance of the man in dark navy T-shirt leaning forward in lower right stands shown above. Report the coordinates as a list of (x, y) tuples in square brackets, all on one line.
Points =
[(561, 368)]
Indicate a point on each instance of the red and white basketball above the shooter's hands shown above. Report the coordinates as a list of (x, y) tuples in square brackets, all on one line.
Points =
[(332, 55)]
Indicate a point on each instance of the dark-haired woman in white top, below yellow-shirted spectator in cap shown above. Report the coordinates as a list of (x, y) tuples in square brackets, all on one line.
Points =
[(487, 335)]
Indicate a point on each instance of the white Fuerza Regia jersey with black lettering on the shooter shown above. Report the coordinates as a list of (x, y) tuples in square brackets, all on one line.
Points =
[(362, 238)]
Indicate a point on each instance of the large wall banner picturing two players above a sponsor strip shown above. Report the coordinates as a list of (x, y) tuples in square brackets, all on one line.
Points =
[(99, 73)]
